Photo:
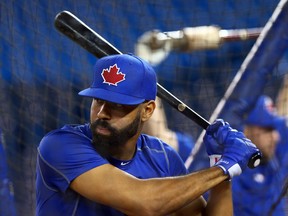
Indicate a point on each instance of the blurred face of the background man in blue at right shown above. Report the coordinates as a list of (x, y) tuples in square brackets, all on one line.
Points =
[(265, 139)]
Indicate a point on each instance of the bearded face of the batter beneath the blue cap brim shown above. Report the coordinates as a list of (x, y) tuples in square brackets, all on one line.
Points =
[(112, 125)]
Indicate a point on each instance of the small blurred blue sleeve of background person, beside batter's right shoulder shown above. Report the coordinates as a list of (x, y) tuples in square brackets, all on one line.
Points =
[(185, 145)]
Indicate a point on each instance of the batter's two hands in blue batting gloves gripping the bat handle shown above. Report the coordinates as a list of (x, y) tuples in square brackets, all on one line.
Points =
[(235, 148)]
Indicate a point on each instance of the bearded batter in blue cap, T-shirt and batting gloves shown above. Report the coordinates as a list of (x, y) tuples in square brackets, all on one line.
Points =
[(107, 167)]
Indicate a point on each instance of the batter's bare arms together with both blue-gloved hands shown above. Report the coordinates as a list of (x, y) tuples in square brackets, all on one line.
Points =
[(108, 185)]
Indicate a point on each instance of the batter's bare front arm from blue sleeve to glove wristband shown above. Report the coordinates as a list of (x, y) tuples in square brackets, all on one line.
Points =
[(110, 186)]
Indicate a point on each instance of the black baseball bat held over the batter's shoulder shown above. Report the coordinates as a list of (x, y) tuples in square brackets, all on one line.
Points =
[(72, 27)]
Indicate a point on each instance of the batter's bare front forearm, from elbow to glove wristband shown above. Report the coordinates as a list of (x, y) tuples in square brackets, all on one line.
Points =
[(182, 191)]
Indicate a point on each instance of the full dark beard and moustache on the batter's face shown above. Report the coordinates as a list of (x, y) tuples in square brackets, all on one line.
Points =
[(117, 138)]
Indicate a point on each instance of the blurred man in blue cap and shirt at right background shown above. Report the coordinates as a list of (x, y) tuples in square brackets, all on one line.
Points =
[(256, 191)]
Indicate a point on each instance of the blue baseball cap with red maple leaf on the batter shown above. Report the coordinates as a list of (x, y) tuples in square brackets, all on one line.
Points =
[(123, 79)]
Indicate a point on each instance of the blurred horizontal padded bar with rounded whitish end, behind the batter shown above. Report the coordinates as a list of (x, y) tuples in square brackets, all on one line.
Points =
[(154, 46)]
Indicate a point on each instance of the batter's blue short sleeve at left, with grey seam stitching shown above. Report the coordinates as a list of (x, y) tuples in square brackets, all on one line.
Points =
[(63, 156)]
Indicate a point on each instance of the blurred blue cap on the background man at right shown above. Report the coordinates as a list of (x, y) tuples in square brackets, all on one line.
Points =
[(264, 113)]
